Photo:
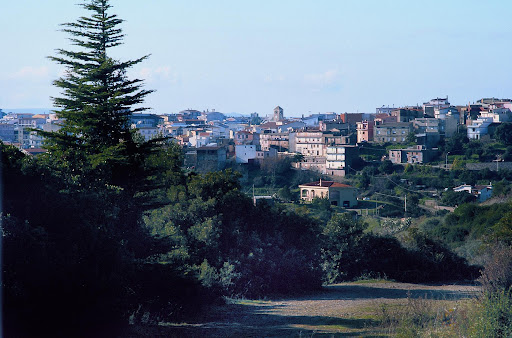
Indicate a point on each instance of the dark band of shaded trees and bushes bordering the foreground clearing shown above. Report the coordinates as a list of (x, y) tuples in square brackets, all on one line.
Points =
[(76, 260)]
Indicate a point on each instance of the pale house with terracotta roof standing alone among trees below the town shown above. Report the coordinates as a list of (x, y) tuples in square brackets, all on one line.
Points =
[(337, 193)]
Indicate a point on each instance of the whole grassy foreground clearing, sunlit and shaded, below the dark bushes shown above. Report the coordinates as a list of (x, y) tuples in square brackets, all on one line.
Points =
[(361, 309)]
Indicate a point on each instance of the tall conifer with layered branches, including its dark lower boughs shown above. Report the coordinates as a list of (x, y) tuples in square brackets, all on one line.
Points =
[(96, 153)]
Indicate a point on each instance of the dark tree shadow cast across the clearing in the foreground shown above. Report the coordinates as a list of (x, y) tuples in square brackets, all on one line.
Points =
[(264, 319)]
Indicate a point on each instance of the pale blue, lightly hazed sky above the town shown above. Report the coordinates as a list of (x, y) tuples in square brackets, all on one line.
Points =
[(245, 56)]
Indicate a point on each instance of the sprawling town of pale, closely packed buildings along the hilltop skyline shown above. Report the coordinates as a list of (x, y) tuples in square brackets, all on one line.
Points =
[(329, 145)]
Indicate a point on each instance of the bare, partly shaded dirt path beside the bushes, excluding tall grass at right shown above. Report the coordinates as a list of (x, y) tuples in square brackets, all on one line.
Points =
[(338, 310)]
